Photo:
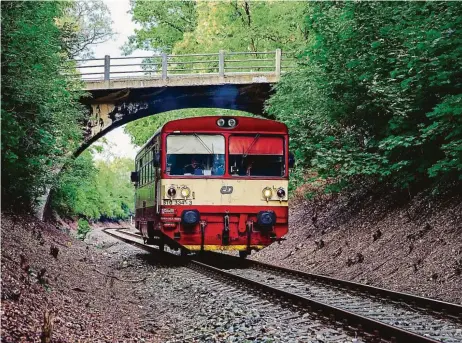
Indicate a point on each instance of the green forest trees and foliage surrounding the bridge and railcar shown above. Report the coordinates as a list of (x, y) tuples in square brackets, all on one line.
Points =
[(375, 98)]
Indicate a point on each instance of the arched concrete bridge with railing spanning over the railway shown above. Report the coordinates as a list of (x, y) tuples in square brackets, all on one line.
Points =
[(124, 89)]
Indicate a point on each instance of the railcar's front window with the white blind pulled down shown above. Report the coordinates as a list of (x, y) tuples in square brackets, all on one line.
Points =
[(195, 154)]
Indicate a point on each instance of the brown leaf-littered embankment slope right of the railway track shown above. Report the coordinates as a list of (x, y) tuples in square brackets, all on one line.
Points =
[(378, 238)]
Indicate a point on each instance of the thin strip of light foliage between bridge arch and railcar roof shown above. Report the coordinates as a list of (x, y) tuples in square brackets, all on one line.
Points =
[(141, 130)]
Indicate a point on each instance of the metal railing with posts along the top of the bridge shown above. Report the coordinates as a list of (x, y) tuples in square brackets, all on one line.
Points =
[(165, 66)]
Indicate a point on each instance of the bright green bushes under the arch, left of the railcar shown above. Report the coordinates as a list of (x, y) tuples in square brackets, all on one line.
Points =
[(100, 190)]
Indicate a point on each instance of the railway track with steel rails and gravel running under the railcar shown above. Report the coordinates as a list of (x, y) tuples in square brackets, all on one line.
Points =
[(376, 314)]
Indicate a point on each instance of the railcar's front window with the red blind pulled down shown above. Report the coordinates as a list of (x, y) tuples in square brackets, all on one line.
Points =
[(256, 155)]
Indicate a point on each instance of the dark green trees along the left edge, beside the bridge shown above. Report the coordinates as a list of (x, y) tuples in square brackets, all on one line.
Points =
[(40, 106)]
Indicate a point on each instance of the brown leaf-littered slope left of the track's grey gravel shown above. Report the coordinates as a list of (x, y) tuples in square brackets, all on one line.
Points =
[(55, 285)]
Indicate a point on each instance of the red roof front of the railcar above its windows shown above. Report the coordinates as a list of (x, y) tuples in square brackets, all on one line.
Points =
[(209, 124)]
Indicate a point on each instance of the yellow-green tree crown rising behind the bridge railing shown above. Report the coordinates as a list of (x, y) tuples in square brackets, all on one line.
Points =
[(245, 26)]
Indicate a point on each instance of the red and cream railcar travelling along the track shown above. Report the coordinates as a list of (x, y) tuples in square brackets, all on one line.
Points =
[(214, 183)]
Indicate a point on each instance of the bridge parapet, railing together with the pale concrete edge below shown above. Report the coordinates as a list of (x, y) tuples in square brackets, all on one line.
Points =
[(181, 70)]
